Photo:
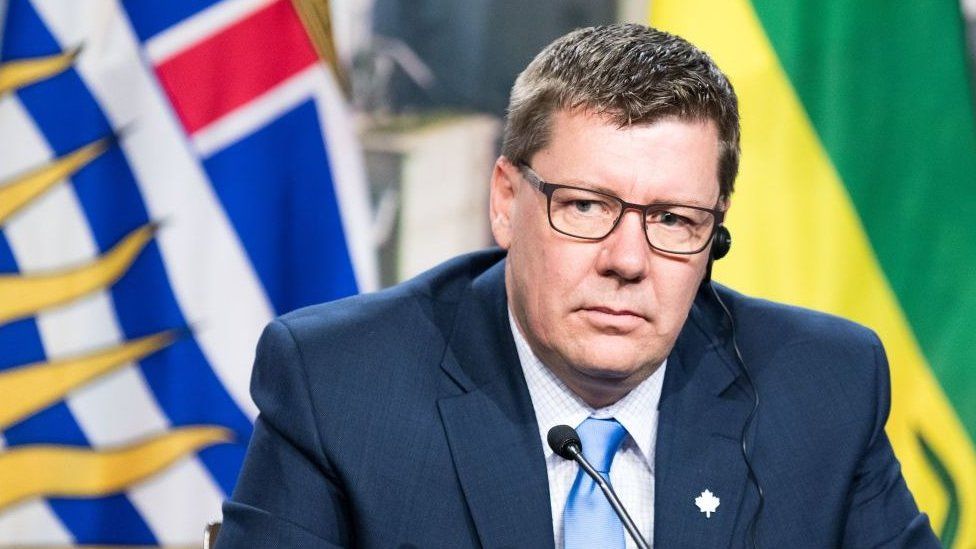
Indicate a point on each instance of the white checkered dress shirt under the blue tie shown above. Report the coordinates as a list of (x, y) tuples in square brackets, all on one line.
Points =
[(632, 472)]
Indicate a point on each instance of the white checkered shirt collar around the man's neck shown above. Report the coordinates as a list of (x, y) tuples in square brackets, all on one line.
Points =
[(556, 404)]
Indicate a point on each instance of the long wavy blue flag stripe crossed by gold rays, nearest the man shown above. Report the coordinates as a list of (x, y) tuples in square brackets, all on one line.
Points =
[(183, 383)]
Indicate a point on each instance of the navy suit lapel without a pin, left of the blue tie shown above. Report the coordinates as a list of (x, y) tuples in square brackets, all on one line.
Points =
[(491, 428)]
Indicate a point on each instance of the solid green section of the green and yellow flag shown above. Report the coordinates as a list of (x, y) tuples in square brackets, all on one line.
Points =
[(887, 87)]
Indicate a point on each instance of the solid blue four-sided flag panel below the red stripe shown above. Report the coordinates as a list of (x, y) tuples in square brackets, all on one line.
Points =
[(276, 187)]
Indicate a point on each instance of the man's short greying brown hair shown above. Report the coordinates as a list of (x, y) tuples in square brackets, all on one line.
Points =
[(630, 73)]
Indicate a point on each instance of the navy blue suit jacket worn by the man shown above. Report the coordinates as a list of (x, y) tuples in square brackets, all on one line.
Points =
[(401, 419)]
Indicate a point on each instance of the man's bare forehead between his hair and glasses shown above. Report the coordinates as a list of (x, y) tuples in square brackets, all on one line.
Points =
[(671, 159)]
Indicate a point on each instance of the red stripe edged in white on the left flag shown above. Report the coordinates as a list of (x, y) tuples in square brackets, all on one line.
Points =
[(236, 65)]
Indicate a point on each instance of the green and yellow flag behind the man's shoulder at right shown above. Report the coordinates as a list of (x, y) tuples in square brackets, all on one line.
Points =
[(857, 196)]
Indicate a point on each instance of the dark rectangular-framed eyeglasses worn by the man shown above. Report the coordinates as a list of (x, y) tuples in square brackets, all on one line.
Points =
[(593, 215)]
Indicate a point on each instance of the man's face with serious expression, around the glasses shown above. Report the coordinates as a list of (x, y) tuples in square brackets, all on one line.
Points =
[(604, 314)]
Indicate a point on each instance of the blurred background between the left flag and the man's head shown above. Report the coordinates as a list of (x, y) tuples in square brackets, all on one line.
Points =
[(429, 83)]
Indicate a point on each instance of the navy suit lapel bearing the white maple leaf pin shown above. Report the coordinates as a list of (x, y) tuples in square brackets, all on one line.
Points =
[(701, 416)]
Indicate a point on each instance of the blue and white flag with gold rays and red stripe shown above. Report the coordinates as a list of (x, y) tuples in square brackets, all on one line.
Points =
[(173, 174)]
